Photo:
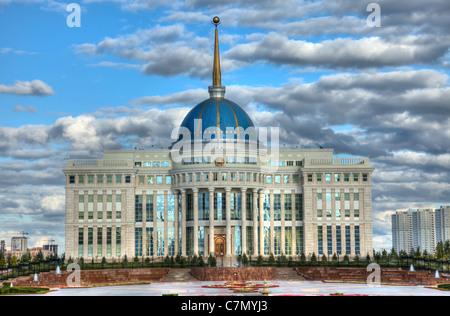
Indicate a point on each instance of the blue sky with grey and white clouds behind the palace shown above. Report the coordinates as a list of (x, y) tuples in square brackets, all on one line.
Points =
[(133, 69)]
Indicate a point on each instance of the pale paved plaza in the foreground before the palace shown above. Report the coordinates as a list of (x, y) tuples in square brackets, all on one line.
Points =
[(285, 288)]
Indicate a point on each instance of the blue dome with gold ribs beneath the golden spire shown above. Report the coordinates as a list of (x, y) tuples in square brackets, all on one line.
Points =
[(217, 113)]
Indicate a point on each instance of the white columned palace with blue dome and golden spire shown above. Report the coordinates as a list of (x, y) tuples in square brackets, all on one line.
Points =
[(245, 195)]
